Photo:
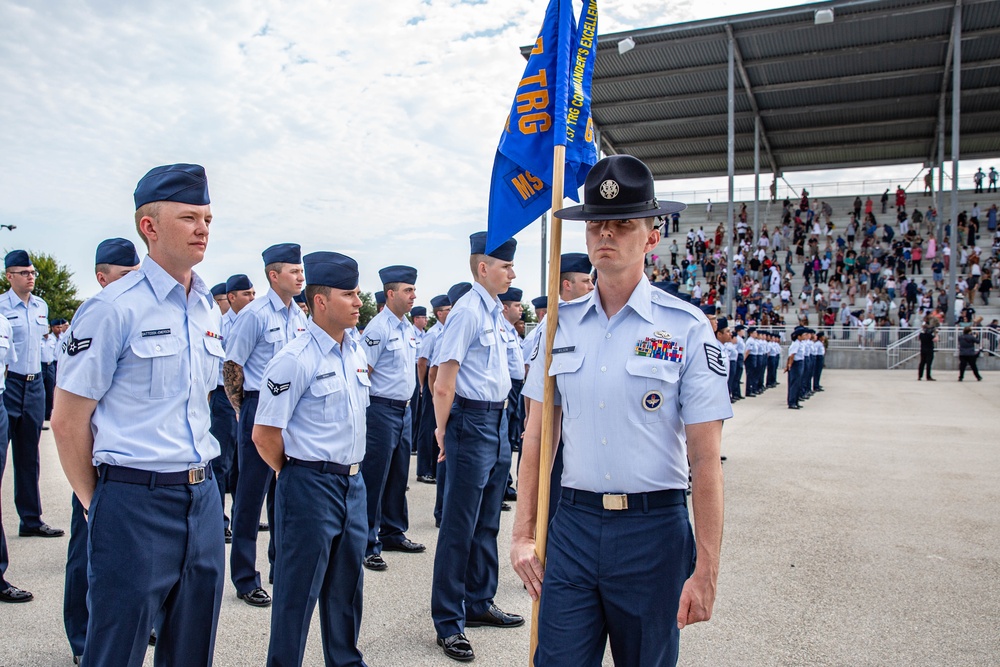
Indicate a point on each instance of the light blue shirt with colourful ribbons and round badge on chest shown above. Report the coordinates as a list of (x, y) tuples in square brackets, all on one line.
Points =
[(628, 385)]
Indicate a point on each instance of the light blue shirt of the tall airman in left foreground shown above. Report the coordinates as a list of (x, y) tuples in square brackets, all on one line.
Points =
[(148, 354)]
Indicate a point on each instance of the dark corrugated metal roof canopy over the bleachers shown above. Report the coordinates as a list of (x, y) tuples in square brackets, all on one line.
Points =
[(863, 90)]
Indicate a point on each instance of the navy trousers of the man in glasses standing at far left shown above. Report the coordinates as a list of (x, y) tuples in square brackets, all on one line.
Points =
[(25, 403)]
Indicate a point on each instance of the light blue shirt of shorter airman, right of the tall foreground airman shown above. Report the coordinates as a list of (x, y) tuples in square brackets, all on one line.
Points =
[(316, 391)]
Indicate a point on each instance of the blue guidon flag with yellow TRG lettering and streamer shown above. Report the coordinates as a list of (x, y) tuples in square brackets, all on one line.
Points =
[(551, 108)]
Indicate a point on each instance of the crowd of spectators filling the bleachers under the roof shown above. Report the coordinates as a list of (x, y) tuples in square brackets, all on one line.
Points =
[(862, 269)]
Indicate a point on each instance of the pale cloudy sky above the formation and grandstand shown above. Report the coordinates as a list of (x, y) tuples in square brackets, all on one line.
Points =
[(368, 128)]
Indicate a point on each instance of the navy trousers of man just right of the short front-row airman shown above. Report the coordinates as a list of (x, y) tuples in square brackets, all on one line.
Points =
[(385, 468)]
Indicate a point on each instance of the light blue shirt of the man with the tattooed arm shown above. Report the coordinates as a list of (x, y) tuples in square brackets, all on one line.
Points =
[(260, 330)]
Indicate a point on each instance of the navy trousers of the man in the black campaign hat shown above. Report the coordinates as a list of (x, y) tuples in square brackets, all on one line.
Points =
[(614, 575)]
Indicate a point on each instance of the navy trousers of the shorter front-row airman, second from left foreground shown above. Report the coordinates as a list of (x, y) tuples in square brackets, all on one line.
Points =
[(321, 531)]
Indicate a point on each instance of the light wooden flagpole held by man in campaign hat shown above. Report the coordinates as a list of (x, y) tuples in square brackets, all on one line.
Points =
[(548, 407)]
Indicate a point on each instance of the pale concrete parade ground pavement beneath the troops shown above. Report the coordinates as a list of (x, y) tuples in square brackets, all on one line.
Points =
[(861, 530)]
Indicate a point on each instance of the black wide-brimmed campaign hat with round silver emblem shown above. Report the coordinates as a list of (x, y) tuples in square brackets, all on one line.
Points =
[(619, 186)]
